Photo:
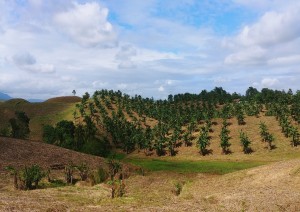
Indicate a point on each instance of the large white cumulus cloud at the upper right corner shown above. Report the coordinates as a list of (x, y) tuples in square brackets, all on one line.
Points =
[(269, 41)]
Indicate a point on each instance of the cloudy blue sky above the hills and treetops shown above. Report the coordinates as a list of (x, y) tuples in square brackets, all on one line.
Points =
[(152, 48)]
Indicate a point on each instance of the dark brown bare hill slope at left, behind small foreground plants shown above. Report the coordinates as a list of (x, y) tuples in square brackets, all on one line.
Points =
[(23, 152)]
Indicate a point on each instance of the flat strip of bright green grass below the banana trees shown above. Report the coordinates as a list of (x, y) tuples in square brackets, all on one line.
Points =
[(211, 167)]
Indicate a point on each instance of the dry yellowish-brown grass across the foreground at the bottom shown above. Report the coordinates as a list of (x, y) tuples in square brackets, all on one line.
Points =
[(273, 187)]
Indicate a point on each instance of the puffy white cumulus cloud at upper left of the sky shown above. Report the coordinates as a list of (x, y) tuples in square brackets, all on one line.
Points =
[(87, 25)]
